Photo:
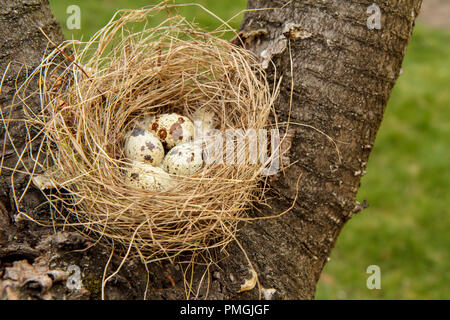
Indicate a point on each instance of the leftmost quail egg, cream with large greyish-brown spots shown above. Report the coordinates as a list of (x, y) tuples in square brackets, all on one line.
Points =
[(143, 145)]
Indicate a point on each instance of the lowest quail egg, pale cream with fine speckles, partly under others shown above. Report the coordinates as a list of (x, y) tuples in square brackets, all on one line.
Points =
[(148, 177)]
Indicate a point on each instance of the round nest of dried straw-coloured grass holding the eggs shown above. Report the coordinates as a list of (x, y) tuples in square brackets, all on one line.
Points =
[(91, 99)]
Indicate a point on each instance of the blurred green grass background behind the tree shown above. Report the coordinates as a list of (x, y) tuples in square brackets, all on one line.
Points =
[(406, 229)]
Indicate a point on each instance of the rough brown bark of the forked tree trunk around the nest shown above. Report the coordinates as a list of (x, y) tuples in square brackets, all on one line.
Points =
[(341, 77)]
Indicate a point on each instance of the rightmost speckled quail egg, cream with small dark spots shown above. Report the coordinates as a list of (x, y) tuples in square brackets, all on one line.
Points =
[(184, 159)]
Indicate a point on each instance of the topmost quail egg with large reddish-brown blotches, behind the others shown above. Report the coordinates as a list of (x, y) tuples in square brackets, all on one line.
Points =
[(172, 129)]
